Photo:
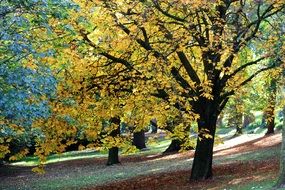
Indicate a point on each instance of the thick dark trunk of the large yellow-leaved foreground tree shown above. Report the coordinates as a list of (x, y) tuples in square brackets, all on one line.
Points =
[(202, 164)]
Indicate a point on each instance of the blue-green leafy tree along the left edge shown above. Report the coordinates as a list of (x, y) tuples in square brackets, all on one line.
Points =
[(27, 83)]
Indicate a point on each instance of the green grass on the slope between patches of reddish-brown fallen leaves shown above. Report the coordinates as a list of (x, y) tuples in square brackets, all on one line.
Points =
[(88, 173)]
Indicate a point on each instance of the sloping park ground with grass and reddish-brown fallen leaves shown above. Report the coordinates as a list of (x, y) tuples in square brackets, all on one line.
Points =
[(245, 162)]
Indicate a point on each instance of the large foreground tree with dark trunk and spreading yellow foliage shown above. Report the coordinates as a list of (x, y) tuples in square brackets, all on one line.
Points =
[(183, 52)]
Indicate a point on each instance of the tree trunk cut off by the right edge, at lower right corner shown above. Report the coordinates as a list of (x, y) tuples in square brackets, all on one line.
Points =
[(281, 179)]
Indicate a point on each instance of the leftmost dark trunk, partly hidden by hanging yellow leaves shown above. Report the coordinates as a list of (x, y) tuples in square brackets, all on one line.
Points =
[(113, 156)]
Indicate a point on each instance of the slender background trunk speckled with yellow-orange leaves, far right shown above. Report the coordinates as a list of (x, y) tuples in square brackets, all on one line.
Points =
[(270, 117)]
